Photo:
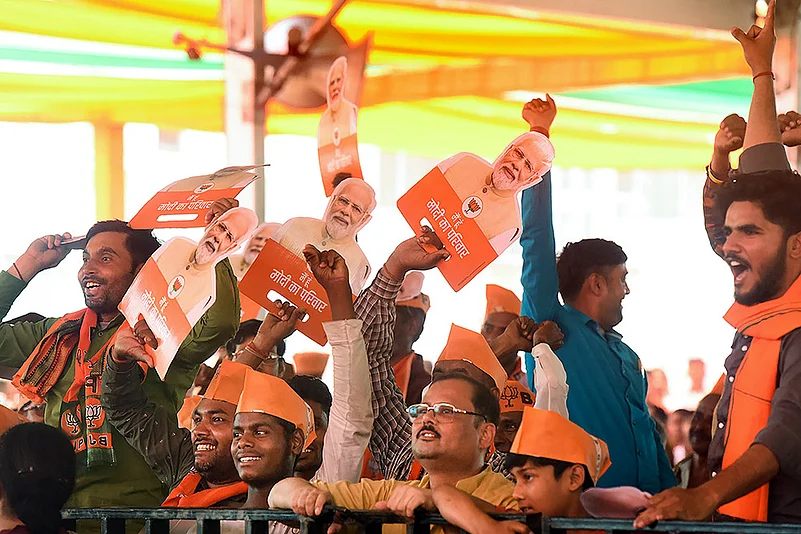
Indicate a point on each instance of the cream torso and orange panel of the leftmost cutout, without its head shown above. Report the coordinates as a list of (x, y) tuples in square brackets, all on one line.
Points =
[(170, 298)]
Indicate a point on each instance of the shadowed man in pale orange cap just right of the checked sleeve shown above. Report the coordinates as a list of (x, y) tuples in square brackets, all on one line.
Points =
[(412, 305)]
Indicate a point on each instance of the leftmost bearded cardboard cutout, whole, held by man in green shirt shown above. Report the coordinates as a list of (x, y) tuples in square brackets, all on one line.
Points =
[(177, 285)]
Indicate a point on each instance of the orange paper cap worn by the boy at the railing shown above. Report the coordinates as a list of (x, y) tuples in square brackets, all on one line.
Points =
[(546, 434)]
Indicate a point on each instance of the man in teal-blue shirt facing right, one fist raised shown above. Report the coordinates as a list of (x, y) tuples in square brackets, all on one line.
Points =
[(607, 384)]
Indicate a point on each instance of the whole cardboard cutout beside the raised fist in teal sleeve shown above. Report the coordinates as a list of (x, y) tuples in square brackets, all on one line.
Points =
[(472, 205)]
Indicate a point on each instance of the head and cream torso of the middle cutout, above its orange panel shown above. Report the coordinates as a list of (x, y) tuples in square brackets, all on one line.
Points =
[(348, 211)]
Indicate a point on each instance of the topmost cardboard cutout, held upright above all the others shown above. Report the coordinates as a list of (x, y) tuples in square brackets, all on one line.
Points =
[(336, 134)]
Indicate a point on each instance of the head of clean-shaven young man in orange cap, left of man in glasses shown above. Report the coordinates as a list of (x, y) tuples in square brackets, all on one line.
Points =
[(271, 428)]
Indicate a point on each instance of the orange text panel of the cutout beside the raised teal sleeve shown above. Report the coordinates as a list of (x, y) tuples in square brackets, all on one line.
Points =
[(432, 200)]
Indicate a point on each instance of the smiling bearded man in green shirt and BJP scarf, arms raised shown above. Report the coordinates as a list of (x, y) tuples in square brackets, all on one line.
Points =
[(110, 472)]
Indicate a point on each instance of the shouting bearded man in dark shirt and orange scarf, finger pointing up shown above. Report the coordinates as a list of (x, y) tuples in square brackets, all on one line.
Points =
[(754, 454)]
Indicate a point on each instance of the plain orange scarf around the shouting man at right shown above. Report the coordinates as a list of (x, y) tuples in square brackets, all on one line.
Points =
[(755, 384)]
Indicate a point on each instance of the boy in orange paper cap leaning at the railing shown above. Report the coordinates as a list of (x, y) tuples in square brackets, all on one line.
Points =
[(553, 461)]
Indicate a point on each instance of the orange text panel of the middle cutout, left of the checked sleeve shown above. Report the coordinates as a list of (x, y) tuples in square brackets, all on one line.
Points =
[(278, 270)]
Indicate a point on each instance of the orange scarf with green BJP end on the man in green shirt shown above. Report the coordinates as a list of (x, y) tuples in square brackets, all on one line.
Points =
[(83, 420)]
